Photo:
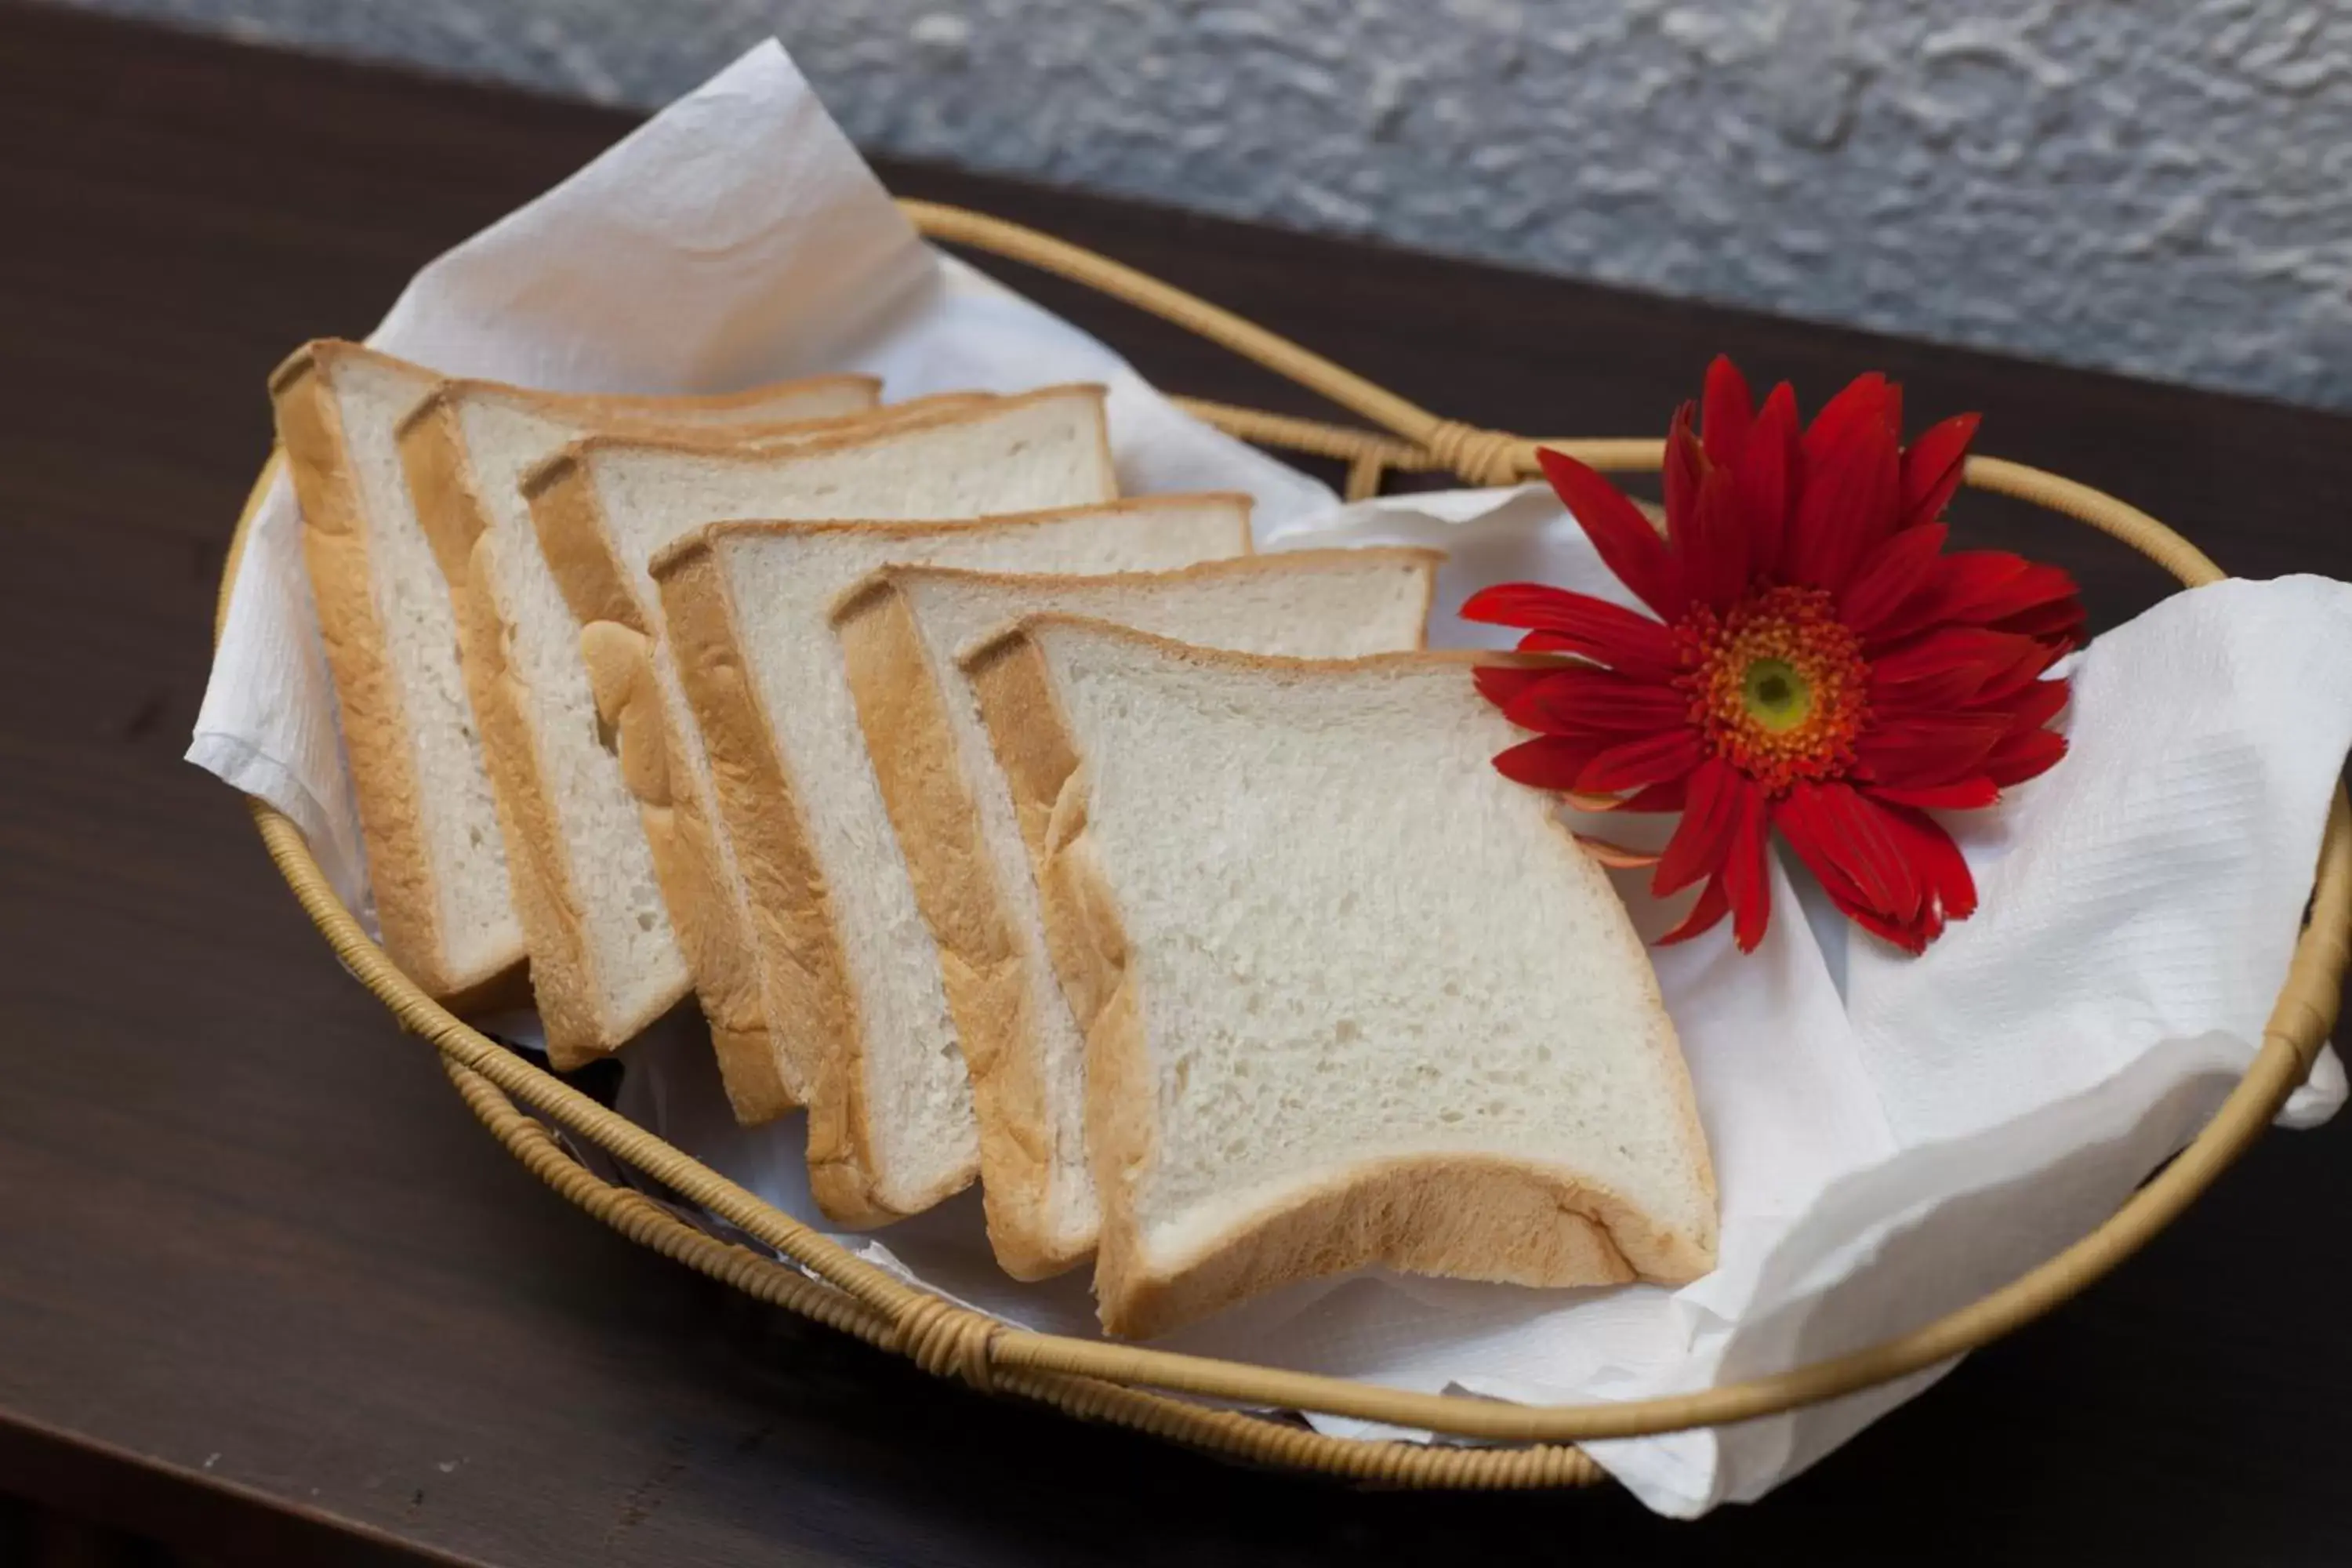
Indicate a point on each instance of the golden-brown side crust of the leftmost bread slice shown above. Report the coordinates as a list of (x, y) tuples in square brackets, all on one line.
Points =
[(368, 692)]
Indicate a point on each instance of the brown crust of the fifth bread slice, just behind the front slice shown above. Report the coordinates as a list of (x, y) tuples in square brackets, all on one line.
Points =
[(902, 711)]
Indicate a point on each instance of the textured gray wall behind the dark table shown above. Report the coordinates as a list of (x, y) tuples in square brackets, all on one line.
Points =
[(2153, 187)]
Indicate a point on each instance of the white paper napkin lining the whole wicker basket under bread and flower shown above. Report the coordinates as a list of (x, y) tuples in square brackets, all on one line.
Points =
[(1892, 1137)]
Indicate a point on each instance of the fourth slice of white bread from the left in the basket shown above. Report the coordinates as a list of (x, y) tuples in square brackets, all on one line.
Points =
[(853, 977)]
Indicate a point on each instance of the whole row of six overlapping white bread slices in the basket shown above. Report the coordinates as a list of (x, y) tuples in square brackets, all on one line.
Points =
[(1017, 831)]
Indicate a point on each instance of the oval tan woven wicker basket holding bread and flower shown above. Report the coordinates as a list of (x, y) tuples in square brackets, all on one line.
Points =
[(1132, 1386)]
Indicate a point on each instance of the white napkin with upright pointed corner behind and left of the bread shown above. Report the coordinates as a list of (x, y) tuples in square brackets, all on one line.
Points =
[(733, 239)]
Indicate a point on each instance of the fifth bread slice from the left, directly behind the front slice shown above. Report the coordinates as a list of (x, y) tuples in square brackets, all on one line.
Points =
[(902, 638)]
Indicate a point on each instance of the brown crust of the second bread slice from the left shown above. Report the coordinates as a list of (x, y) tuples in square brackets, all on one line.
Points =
[(540, 866)]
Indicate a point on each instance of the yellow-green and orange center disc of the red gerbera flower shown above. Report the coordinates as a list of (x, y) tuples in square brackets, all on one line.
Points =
[(1777, 685)]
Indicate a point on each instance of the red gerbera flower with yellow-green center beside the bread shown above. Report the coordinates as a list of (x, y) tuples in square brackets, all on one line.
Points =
[(1819, 664)]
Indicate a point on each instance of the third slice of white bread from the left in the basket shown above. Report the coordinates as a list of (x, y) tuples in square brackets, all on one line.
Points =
[(606, 507)]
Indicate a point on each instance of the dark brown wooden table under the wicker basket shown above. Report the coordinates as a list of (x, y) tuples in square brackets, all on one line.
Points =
[(267, 1294)]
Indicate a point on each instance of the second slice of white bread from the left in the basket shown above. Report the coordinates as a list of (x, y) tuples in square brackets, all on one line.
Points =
[(606, 960)]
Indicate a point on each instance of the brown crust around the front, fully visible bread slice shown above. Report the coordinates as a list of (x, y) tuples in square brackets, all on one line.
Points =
[(1443, 1214)]
